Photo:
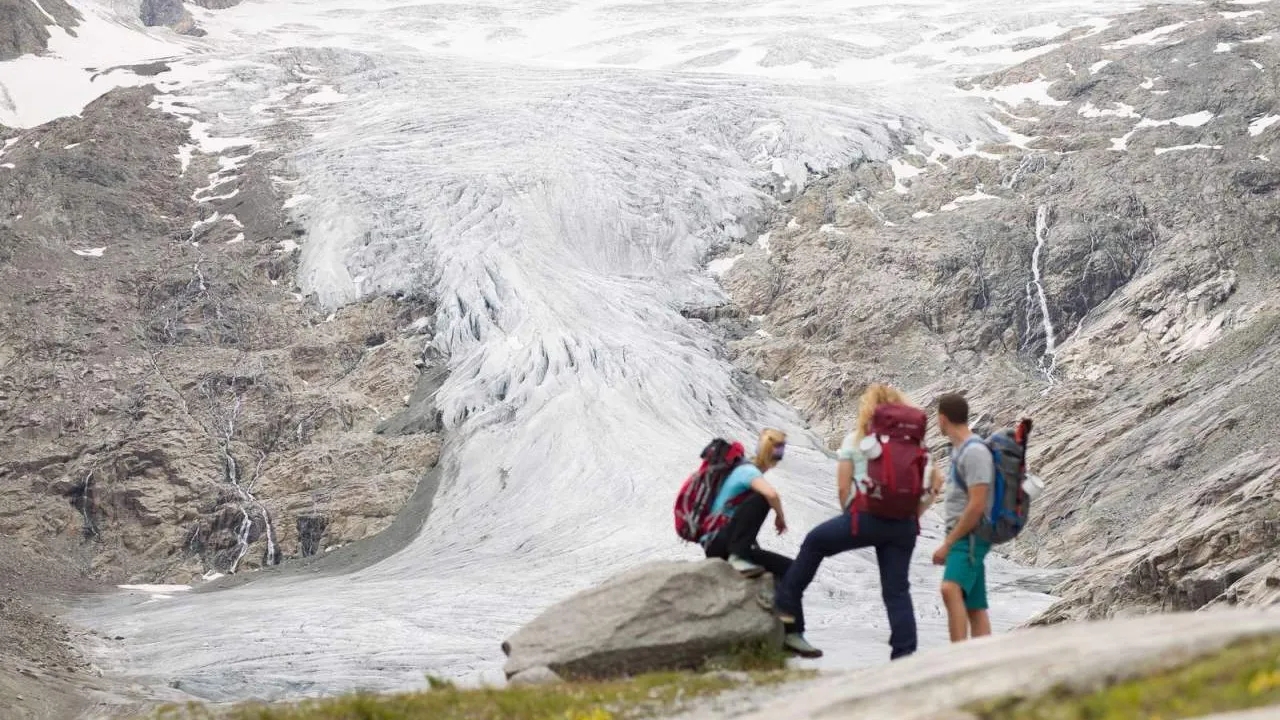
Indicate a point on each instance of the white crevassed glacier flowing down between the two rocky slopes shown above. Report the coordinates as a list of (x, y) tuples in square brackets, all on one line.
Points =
[(557, 174)]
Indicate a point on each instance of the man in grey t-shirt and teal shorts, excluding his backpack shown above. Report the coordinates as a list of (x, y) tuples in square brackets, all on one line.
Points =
[(963, 553)]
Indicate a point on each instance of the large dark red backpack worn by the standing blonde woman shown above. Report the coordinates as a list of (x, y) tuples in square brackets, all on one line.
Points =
[(897, 477)]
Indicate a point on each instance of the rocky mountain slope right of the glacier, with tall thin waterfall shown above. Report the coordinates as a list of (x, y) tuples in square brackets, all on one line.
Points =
[(1107, 266)]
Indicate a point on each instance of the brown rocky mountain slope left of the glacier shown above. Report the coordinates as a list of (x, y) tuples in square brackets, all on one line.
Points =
[(171, 407)]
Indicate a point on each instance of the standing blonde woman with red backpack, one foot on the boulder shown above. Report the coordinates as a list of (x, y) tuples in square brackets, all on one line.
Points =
[(867, 521)]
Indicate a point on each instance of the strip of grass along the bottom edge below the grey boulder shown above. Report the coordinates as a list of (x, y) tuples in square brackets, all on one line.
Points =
[(643, 696)]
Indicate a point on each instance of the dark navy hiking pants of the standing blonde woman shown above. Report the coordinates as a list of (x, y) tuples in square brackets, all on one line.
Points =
[(894, 543)]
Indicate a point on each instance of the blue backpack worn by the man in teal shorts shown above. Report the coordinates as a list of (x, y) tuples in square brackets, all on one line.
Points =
[(1008, 504)]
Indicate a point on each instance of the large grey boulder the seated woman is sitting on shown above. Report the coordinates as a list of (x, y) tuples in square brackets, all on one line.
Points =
[(657, 617)]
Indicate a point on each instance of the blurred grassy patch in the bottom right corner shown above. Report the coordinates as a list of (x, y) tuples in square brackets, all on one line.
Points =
[(1242, 677)]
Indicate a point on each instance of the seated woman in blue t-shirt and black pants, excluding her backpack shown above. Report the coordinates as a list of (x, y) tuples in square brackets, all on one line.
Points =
[(747, 498)]
